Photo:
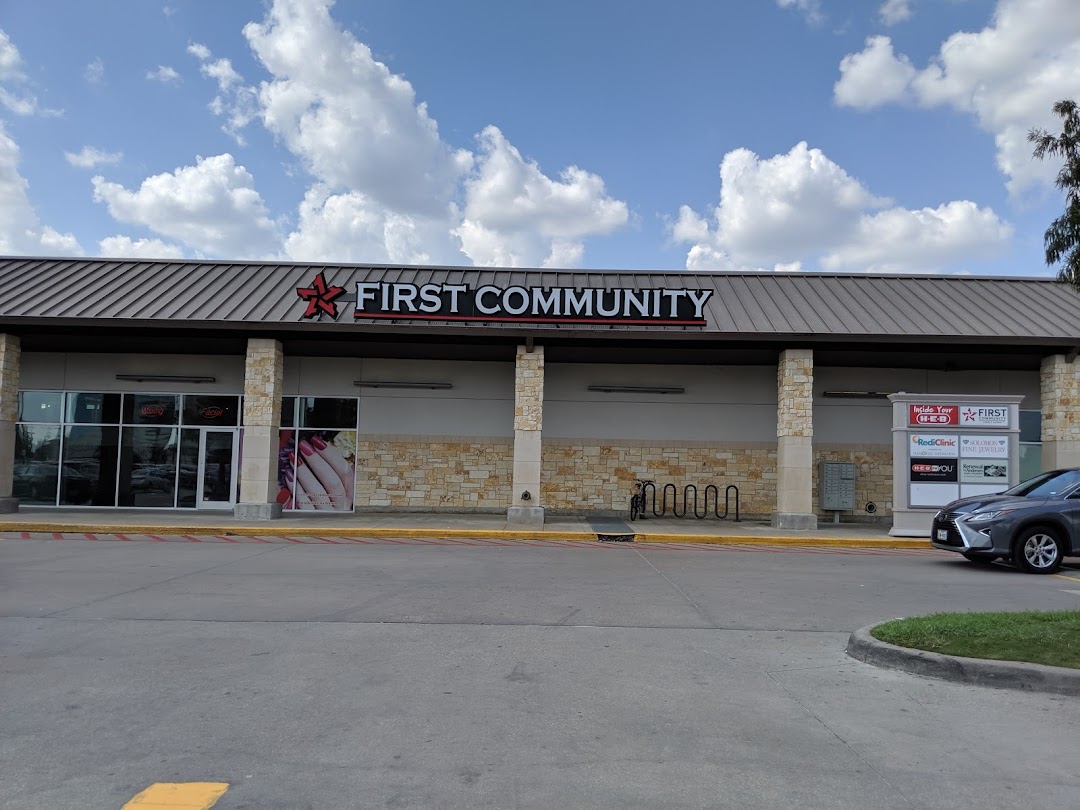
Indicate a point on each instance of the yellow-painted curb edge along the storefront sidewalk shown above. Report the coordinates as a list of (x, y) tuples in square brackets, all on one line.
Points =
[(102, 529)]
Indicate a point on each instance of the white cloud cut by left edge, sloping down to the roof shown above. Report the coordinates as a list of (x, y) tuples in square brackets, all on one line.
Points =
[(21, 232)]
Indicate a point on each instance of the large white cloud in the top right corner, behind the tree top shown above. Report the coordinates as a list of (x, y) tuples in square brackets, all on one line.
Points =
[(1007, 76)]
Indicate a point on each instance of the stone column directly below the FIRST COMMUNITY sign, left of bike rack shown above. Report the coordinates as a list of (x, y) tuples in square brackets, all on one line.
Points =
[(526, 509)]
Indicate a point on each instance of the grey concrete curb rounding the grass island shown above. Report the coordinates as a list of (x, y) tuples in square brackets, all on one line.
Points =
[(975, 671)]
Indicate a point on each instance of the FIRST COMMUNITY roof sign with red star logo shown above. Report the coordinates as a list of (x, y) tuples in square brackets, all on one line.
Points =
[(402, 301)]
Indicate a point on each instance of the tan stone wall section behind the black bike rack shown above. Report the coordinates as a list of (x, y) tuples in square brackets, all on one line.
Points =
[(591, 475)]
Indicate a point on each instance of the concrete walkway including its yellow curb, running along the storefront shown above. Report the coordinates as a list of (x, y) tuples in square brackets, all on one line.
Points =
[(451, 525)]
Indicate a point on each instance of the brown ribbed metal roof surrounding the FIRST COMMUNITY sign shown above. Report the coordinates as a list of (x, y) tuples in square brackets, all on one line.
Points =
[(745, 306)]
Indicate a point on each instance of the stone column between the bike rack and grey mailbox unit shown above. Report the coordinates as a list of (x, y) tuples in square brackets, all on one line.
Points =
[(794, 441)]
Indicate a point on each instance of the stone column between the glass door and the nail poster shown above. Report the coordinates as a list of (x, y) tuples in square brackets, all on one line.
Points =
[(259, 474)]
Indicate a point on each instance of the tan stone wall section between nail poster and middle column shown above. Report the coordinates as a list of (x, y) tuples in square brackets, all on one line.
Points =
[(434, 472)]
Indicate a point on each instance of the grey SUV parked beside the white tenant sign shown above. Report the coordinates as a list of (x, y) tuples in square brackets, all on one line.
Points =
[(1034, 525)]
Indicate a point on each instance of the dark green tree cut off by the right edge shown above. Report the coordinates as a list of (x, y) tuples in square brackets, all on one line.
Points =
[(1062, 239)]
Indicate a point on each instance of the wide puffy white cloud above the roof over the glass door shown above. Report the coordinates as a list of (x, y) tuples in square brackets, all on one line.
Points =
[(212, 207)]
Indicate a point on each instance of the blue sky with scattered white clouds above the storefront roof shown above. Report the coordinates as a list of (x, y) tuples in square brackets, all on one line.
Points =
[(781, 136)]
